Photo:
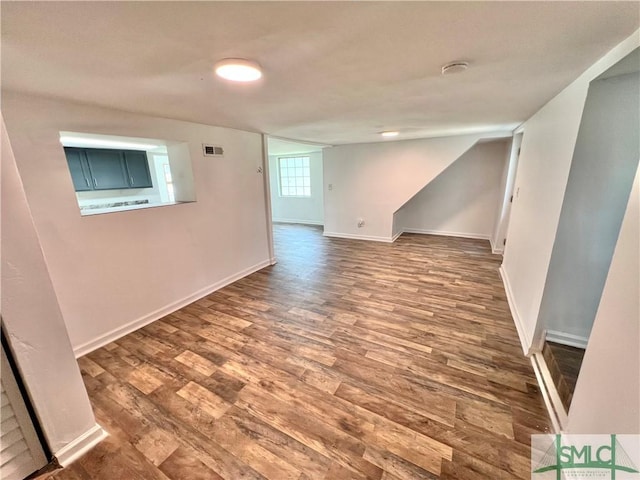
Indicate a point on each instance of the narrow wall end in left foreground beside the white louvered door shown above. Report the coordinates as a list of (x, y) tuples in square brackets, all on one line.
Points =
[(33, 321)]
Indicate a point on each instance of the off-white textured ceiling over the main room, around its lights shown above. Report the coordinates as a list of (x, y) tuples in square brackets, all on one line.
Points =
[(334, 72)]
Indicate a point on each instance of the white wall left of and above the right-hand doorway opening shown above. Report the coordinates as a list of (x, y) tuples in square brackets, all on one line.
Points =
[(546, 153)]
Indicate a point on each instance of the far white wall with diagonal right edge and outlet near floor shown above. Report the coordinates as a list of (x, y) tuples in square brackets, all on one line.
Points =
[(371, 181)]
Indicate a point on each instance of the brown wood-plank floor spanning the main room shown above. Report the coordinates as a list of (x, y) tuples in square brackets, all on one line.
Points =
[(346, 360)]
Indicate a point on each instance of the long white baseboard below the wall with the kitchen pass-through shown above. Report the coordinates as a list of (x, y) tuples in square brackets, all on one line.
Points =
[(119, 332)]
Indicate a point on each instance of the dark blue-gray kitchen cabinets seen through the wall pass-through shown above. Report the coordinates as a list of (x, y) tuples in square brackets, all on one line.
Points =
[(108, 169)]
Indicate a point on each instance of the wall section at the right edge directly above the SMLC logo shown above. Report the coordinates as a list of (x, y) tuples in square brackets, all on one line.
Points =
[(607, 395)]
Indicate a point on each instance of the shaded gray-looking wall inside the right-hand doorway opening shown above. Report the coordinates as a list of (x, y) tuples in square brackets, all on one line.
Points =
[(604, 162)]
